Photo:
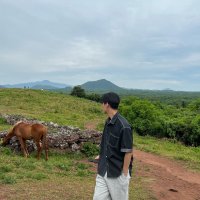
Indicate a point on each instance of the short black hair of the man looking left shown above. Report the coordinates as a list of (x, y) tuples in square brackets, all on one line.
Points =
[(112, 99)]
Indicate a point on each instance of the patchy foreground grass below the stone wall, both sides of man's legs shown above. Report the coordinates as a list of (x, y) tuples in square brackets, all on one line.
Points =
[(63, 176)]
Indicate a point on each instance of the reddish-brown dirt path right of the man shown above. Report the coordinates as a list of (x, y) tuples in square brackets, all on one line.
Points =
[(168, 179)]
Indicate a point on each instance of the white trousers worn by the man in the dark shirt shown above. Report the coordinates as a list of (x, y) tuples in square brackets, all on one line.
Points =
[(111, 188)]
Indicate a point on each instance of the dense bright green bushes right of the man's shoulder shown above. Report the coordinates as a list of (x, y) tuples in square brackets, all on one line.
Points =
[(163, 120)]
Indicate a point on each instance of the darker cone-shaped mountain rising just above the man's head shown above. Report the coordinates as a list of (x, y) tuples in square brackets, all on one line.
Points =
[(102, 85)]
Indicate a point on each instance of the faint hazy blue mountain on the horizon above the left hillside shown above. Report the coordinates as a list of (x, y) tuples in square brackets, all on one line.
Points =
[(36, 84)]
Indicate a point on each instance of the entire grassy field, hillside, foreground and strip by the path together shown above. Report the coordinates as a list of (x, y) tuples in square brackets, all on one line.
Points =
[(68, 176)]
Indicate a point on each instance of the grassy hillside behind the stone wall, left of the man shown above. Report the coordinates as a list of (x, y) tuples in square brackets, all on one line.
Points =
[(50, 106)]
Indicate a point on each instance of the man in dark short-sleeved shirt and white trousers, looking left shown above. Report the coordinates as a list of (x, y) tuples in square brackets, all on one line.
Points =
[(115, 159)]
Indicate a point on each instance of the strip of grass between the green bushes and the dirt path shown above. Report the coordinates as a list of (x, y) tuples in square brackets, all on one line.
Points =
[(189, 155)]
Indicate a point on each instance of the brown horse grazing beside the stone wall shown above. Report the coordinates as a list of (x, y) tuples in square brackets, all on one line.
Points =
[(24, 131)]
